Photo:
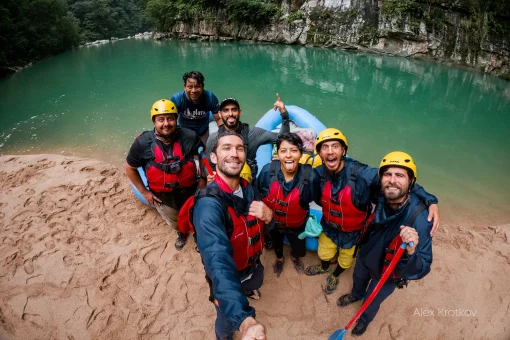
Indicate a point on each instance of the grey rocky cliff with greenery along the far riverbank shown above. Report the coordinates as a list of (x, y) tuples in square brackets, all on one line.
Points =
[(452, 33)]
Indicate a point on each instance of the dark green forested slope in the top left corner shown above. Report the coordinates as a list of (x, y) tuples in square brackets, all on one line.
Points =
[(31, 30)]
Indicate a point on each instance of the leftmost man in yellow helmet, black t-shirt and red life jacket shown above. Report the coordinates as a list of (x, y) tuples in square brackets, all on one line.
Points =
[(167, 156)]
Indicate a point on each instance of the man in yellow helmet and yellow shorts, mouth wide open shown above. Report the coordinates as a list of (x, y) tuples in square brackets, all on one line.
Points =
[(345, 189)]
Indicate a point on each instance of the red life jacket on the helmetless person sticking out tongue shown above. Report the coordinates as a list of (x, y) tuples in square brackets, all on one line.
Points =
[(288, 212)]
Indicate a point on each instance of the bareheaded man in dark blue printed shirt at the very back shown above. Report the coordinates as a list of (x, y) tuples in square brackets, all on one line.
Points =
[(194, 104)]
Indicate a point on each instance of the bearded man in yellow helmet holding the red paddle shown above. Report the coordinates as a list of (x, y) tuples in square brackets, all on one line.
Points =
[(399, 217)]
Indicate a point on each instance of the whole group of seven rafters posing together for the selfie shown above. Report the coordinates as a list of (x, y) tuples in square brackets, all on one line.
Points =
[(367, 212)]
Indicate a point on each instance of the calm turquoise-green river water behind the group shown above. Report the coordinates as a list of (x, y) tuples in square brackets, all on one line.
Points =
[(93, 101)]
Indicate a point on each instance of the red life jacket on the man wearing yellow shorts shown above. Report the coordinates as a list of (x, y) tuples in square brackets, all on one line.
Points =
[(339, 211)]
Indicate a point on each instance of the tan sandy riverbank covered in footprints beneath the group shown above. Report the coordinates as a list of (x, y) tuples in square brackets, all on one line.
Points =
[(82, 258)]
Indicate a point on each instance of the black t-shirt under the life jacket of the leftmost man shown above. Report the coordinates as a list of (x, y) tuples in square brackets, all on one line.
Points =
[(141, 153)]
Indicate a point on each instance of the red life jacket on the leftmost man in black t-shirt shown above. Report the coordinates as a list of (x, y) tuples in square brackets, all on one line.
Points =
[(168, 171)]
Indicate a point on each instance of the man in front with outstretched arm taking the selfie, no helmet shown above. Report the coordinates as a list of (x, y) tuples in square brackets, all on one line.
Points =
[(228, 220)]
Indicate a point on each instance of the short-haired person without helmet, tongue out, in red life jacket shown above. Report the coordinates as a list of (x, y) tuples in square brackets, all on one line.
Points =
[(283, 186)]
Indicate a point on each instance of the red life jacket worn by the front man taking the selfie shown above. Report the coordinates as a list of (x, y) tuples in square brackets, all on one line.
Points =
[(246, 233)]
